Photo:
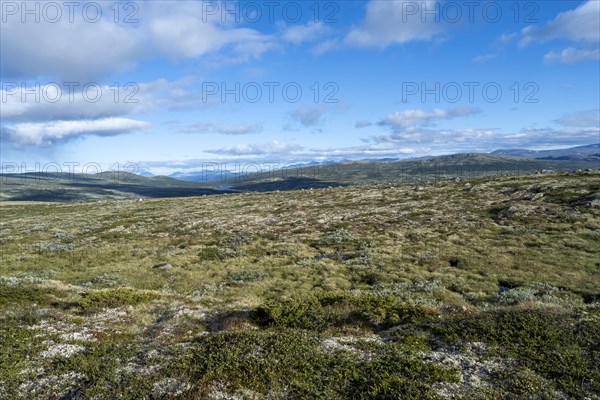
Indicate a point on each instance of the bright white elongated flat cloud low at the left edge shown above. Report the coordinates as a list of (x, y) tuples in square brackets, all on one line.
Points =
[(45, 133)]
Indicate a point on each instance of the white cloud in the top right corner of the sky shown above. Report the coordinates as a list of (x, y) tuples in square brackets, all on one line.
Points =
[(581, 24)]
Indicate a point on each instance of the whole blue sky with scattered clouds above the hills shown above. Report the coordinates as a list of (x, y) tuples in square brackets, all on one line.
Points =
[(175, 86)]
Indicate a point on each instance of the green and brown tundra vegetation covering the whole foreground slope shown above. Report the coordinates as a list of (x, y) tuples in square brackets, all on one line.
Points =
[(484, 289)]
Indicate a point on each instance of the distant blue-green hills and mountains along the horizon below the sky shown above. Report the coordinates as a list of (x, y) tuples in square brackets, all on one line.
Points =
[(116, 186)]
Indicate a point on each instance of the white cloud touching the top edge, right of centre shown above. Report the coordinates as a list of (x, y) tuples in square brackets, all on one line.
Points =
[(393, 22)]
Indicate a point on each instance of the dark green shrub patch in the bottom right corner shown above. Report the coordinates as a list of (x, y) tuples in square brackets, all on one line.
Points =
[(561, 346)]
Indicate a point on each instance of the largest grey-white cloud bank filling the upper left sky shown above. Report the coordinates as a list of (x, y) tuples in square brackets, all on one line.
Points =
[(80, 50)]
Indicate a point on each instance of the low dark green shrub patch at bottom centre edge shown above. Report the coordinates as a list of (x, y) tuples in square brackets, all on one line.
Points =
[(293, 362)]
